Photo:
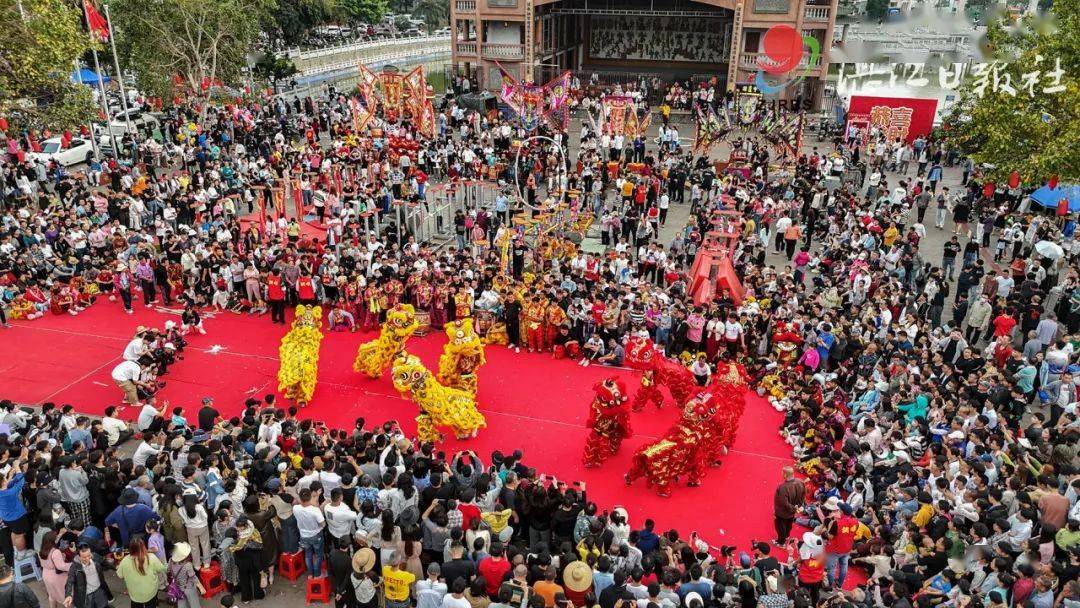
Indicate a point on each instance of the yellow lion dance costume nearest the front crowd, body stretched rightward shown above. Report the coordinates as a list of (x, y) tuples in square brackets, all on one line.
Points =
[(440, 407)]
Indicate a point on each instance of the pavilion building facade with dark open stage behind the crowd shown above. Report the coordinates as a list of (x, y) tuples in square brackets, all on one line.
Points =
[(624, 40)]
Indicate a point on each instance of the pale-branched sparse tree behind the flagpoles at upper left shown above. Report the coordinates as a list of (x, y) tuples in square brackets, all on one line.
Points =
[(188, 45)]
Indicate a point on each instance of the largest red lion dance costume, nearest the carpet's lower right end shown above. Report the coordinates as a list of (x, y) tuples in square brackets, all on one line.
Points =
[(695, 443)]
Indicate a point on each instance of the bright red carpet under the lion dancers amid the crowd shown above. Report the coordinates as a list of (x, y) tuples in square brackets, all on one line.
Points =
[(531, 401)]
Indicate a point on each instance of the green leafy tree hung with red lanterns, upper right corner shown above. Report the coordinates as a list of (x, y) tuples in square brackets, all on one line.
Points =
[(1034, 134)]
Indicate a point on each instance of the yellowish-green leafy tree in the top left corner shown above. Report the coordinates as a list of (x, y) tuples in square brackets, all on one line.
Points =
[(43, 40)]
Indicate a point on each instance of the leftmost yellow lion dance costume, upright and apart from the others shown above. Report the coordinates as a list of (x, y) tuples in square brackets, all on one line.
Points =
[(300, 356)]
